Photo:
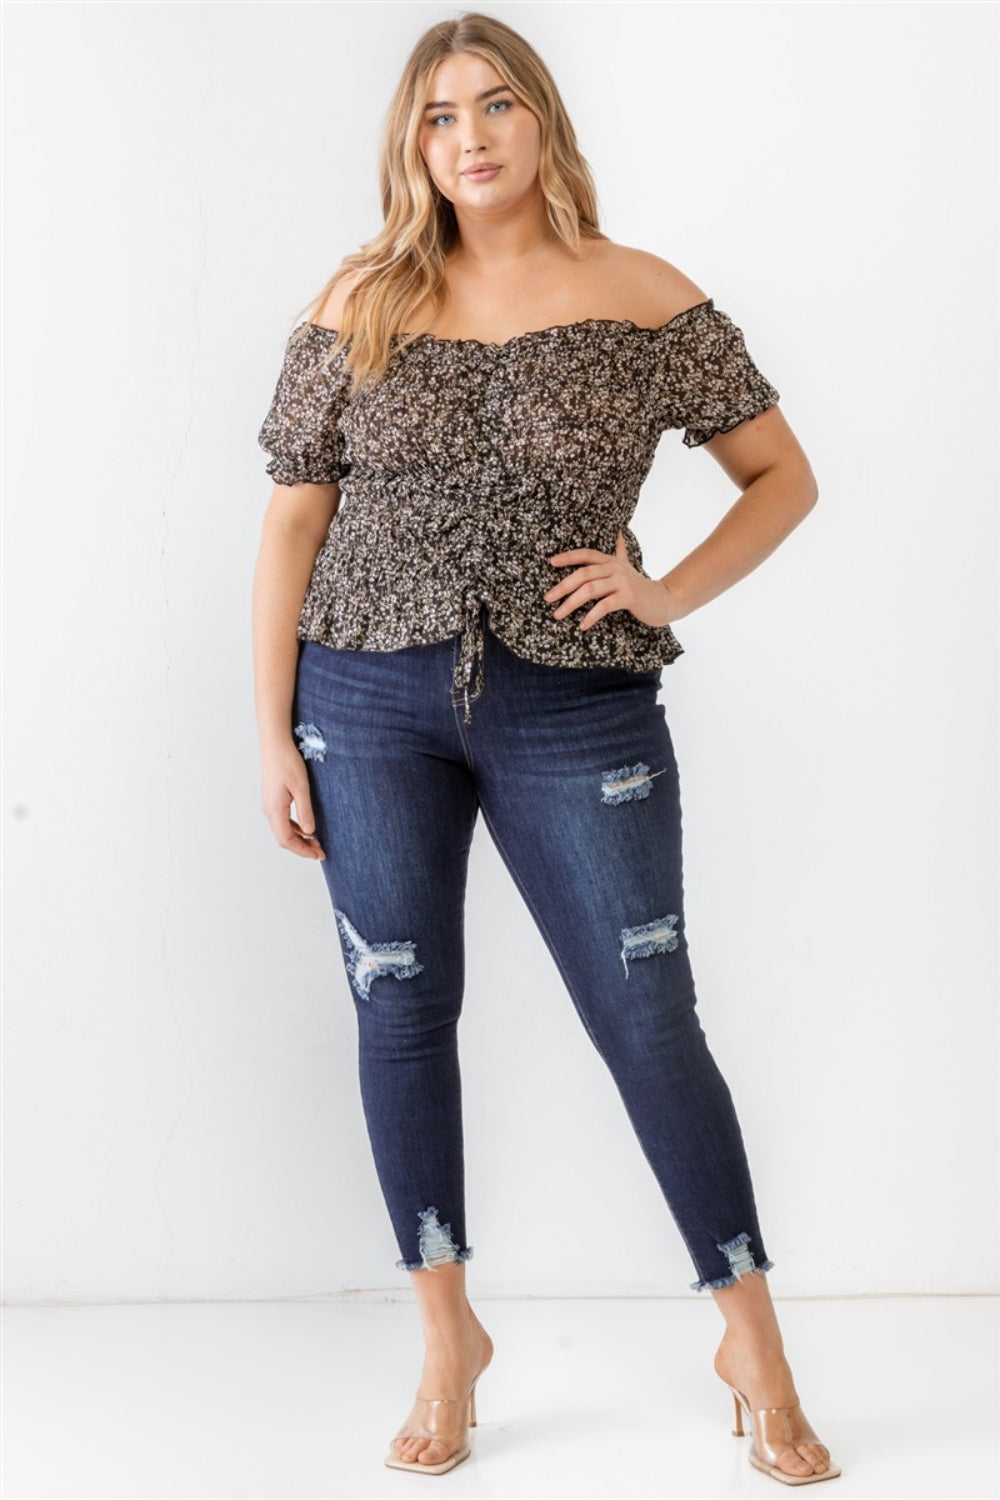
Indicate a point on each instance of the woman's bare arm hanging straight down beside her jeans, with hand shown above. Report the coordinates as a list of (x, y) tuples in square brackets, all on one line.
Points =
[(296, 524)]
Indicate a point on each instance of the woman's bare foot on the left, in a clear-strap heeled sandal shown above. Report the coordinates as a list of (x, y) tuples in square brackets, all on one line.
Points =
[(451, 1367)]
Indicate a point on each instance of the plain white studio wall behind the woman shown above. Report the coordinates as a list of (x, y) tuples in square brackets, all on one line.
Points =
[(181, 1073)]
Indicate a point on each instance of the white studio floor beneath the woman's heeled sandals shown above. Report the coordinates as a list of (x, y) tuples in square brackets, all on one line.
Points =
[(584, 1399)]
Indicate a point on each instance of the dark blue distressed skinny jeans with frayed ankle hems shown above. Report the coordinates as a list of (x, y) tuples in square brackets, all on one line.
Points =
[(575, 773)]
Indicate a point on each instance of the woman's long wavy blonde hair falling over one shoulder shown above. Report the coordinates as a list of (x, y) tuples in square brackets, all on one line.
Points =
[(404, 263)]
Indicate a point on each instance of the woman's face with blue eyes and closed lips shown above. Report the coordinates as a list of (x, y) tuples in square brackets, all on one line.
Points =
[(475, 118)]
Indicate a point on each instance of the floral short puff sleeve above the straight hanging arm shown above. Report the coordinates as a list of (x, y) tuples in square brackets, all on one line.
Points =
[(302, 430)]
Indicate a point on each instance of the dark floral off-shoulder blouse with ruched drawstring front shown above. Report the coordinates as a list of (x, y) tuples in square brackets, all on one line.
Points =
[(470, 464)]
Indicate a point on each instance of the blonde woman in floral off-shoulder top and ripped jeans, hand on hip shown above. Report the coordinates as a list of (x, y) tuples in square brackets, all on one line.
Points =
[(475, 631)]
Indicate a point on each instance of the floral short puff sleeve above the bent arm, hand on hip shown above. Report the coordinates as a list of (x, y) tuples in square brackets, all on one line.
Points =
[(707, 380)]
